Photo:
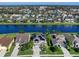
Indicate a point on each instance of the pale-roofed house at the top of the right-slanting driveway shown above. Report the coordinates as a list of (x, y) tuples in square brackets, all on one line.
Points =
[(58, 40)]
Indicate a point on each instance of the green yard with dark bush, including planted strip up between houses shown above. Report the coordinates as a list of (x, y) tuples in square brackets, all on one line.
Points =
[(49, 49)]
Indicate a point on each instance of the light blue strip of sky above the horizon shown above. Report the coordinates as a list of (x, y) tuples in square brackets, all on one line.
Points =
[(39, 3)]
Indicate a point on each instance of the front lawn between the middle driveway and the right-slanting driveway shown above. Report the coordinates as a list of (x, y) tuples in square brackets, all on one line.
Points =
[(47, 51)]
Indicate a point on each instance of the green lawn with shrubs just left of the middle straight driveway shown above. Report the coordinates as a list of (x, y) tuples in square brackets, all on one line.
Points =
[(26, 49)]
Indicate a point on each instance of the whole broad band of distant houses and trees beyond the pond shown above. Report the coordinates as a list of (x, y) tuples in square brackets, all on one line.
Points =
[(40, 13)]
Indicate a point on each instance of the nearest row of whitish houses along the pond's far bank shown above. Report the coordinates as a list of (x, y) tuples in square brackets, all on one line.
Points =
[(39, 18)]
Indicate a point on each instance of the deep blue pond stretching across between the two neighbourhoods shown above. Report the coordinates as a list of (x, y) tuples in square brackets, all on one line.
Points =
[(36, 28)]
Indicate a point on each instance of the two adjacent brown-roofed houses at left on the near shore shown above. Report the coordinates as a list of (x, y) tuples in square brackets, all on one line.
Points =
[(6, 42)]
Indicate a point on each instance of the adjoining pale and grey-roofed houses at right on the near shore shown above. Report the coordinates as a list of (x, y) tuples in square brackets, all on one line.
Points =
[(62, 40)]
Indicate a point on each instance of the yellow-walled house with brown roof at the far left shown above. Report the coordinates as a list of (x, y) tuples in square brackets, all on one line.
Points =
[(6, 43)]
